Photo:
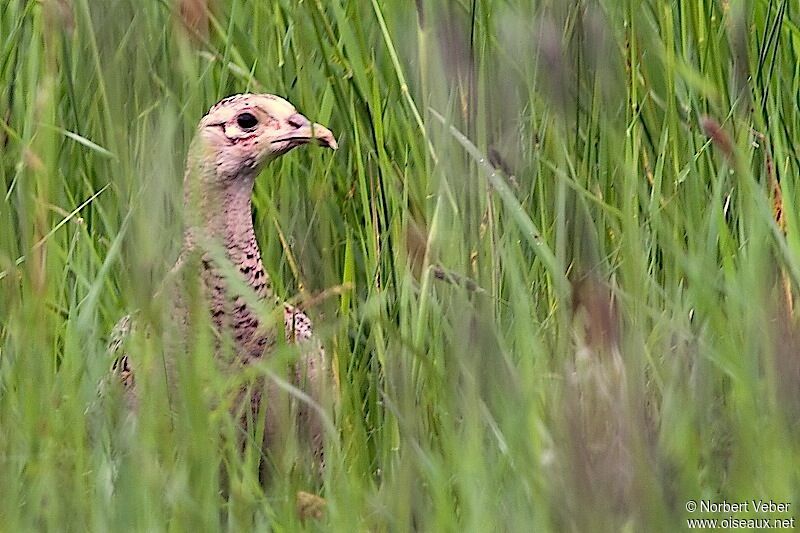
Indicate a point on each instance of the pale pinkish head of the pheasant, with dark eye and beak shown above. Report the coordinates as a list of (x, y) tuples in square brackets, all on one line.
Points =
[(241, 133)]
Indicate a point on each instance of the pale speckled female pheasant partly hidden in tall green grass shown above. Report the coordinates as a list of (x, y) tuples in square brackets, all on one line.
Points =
[(234, 140)]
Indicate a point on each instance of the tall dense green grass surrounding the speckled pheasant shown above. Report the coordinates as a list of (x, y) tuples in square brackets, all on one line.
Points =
[(551, 260)]
